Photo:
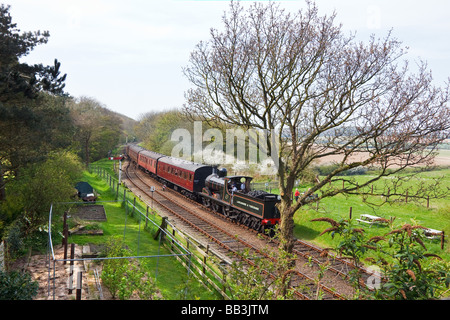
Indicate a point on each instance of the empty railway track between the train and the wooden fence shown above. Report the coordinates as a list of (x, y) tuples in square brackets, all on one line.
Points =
[(305, 286)]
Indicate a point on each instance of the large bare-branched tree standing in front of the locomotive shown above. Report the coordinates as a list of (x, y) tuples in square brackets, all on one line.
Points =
[(321, 93)]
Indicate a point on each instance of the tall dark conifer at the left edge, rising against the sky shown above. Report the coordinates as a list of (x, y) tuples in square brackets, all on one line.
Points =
[(24, 121)]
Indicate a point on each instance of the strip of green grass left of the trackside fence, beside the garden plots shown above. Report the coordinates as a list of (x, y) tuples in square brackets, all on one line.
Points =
[(171, 278)]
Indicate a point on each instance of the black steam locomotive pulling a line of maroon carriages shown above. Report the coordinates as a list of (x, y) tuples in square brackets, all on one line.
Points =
[(229, 195)]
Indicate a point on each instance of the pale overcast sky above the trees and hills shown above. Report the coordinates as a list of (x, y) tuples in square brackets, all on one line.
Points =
[(129, 55)]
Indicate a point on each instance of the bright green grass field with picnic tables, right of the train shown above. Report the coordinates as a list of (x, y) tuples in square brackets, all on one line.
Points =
[(437, 216)]
